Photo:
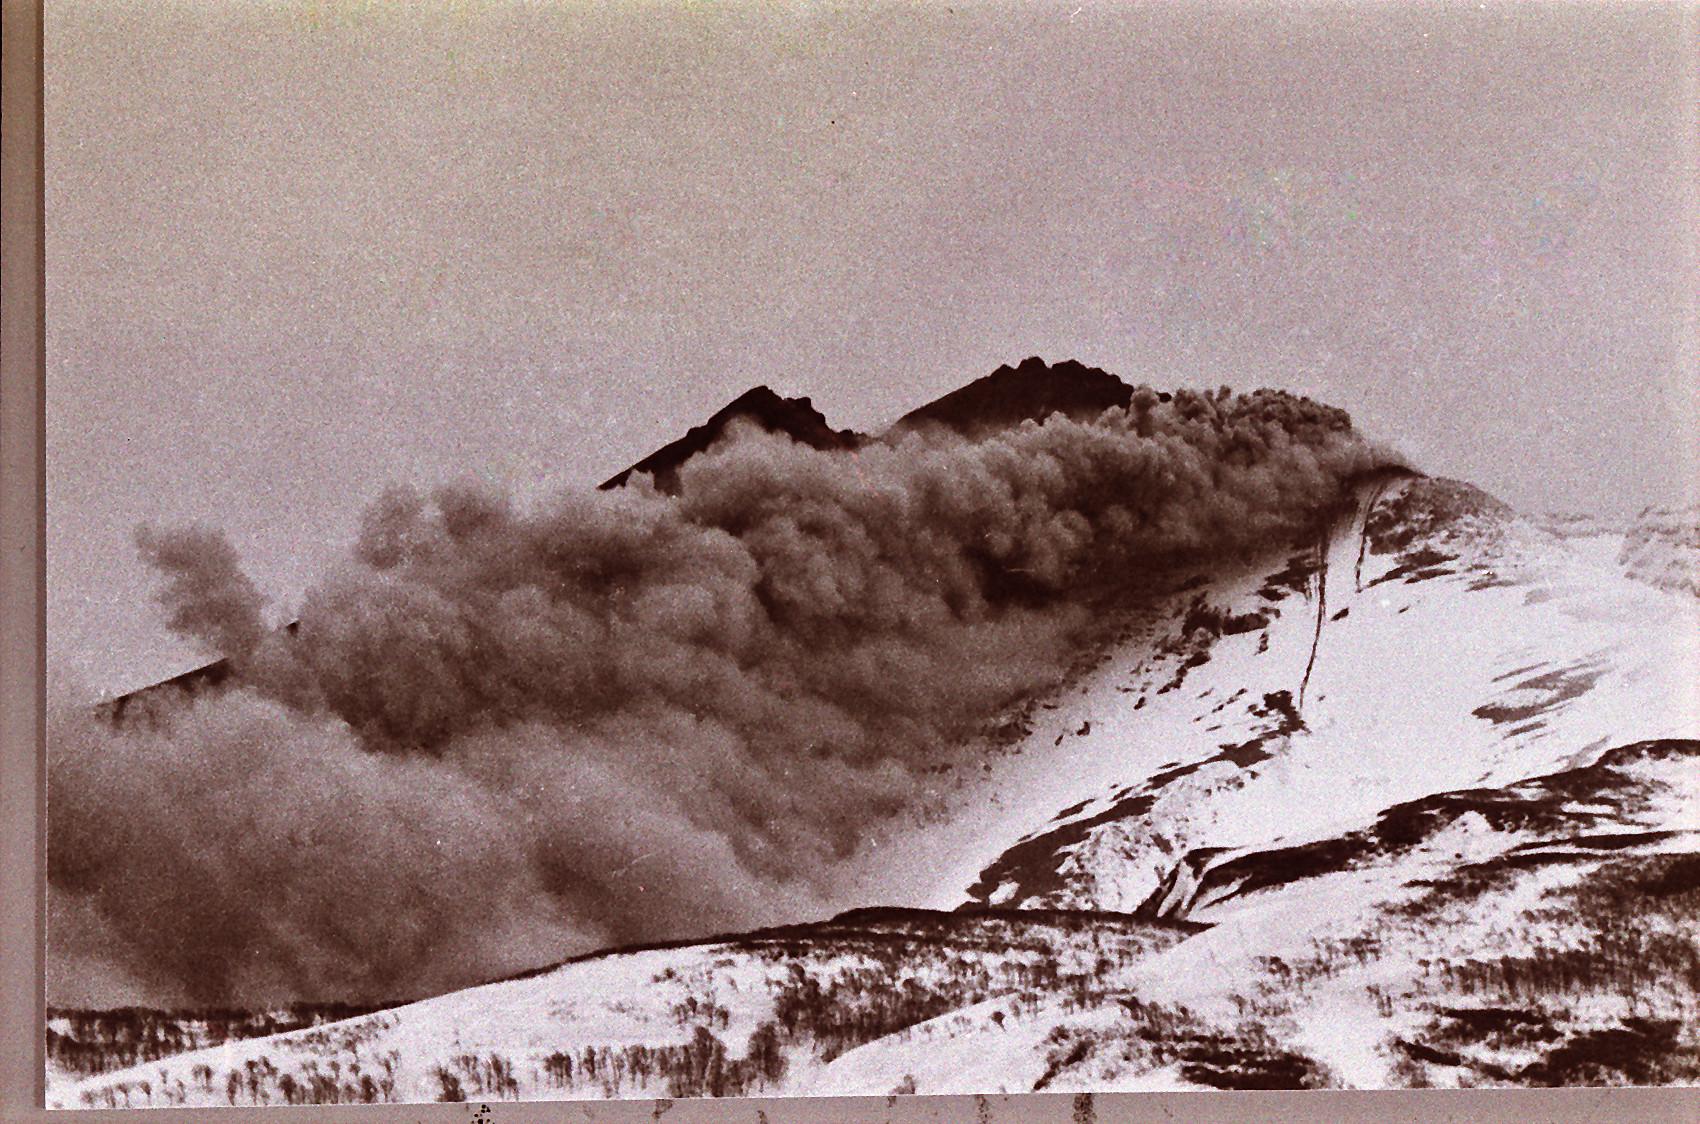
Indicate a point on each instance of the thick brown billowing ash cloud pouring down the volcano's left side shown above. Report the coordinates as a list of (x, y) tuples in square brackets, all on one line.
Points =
[(501, 735)]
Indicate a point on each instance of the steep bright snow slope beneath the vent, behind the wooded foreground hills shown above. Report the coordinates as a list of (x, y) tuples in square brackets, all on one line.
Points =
[(1463, 650)]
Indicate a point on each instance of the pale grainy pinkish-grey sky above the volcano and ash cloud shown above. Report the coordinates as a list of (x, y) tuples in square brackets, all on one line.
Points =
[(300, 251)]
